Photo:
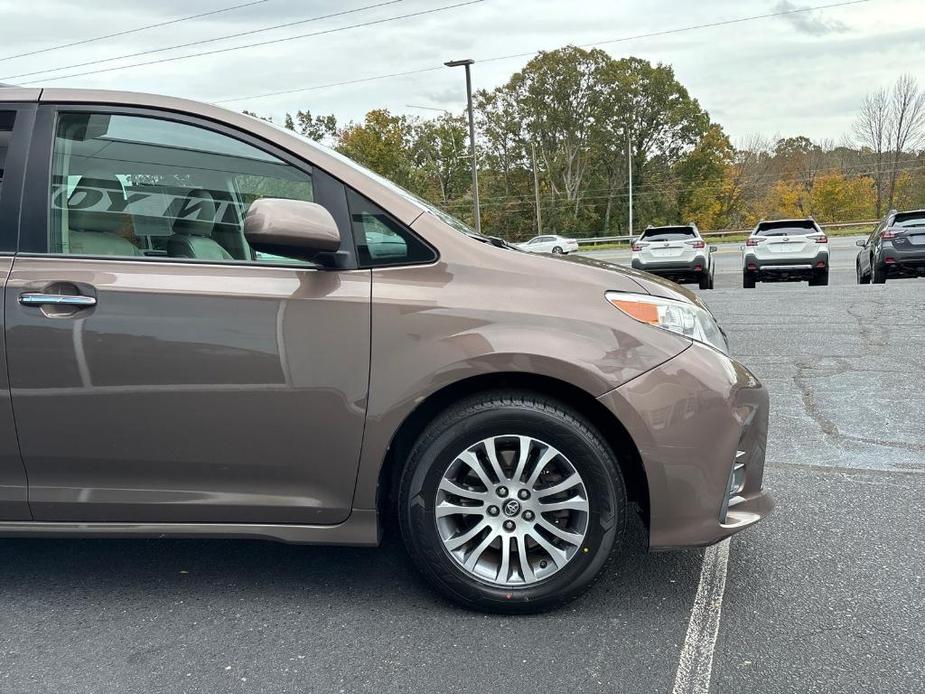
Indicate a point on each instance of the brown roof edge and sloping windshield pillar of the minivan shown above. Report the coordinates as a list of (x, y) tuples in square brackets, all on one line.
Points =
[(399, 203)]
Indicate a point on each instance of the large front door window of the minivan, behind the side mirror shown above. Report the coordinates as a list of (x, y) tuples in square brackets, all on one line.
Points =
[(137, 186)]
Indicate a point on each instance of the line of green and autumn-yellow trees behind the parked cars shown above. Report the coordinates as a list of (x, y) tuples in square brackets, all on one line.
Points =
[(554, 141)]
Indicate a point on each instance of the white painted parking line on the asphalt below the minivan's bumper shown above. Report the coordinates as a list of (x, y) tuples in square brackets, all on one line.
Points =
[(696, 663)]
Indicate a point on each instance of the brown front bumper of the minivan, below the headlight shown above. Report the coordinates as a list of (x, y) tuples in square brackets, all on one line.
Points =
[(692, 419)]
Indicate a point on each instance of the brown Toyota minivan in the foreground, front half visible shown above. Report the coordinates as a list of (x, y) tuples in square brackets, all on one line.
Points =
[(213, 327)]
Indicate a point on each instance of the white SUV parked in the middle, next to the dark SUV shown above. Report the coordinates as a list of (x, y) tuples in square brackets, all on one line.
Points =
[(786, 250)]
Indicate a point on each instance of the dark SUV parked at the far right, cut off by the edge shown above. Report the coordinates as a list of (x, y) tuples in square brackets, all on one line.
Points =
[(896, 248)]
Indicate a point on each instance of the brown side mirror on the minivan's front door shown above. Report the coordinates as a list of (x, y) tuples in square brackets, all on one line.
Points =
[(292, 228)]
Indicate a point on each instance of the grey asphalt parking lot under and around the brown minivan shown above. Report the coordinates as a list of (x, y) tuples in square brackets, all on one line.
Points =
[(827, 595)]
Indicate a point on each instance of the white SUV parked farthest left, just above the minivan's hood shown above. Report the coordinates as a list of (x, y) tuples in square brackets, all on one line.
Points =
[(678, 253)]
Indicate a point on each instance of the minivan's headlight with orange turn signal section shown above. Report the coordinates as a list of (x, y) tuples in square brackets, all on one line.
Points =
[(676, 316)]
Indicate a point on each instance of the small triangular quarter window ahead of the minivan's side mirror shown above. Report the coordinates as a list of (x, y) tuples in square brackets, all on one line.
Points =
[(380, 240)]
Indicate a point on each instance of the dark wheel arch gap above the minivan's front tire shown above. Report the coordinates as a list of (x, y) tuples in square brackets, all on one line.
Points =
[(614, 432)]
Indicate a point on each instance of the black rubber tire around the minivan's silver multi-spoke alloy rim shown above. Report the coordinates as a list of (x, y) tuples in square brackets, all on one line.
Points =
[(499, 414)]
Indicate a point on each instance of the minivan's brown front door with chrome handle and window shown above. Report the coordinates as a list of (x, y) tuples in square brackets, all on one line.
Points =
[(160, 369)]
